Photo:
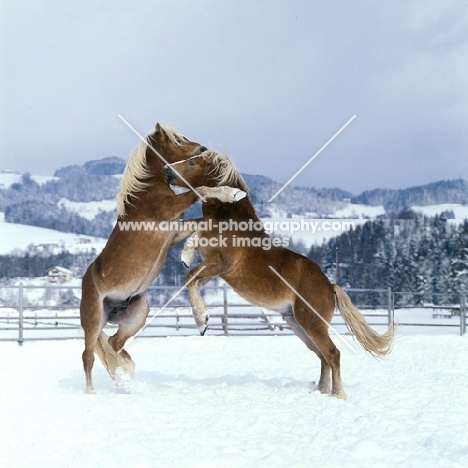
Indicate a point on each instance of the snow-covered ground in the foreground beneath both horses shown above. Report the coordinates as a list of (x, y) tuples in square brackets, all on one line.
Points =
[(235, 402)]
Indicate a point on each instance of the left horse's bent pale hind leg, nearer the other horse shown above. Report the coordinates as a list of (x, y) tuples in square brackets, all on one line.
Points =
[(130, 321)]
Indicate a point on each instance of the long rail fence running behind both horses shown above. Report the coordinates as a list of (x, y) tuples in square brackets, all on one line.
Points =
[(49, 312)]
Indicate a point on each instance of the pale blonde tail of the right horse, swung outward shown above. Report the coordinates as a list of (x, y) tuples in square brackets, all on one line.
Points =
[(377, 345)]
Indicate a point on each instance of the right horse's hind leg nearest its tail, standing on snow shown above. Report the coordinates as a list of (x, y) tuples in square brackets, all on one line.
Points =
[(317, 331)]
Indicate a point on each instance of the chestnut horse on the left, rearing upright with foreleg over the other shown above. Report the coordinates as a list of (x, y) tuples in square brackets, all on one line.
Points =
[(114, 284)]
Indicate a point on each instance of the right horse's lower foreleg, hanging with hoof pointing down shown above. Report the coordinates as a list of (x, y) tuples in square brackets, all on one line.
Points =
[(203, 273)]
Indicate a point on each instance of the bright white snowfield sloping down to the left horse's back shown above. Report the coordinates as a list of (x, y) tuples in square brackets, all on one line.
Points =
[(21, 236)]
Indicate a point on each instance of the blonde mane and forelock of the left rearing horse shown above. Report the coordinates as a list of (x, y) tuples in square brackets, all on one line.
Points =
[(136, 170)]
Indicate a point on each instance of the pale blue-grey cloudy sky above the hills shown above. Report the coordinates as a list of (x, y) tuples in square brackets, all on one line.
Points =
[(269, 82)]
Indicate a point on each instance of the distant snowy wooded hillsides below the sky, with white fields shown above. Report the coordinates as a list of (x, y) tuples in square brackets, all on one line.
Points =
[(81, 199)]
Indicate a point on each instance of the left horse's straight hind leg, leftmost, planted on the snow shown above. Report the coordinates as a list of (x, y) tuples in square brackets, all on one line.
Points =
[(92, 321)]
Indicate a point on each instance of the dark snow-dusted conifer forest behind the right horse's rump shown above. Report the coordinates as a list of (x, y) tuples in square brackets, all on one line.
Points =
[(414, 253)]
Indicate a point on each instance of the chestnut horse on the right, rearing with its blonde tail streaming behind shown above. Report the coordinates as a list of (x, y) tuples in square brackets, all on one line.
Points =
[(267, 274)]
